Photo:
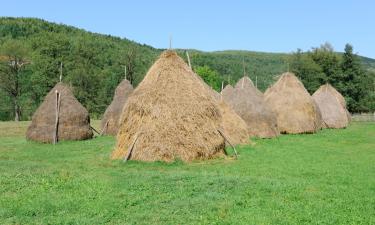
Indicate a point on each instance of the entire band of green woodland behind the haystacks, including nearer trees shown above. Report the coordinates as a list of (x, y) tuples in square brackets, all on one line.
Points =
[(34, 53)]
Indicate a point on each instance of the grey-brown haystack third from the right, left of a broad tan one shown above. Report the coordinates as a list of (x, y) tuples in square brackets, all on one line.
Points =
[(248, 102)]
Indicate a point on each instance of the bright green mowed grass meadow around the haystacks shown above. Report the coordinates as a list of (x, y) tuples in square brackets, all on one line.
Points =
[(324, 178)]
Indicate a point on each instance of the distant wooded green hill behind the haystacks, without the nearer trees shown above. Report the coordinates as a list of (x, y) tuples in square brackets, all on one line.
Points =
[(93, 64)]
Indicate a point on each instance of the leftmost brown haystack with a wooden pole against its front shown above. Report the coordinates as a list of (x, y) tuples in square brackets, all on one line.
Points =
[(74, 120)]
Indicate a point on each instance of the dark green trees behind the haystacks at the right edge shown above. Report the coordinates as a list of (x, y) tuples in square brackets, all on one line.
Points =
[(343, 71)]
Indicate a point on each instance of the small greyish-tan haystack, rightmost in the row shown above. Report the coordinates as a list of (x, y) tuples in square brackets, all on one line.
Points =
[(332, 106)]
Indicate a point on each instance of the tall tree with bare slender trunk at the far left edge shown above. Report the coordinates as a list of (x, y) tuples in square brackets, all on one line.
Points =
[(13, 62)]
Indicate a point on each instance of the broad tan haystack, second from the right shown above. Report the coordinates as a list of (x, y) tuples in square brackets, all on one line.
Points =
[(295, 109)]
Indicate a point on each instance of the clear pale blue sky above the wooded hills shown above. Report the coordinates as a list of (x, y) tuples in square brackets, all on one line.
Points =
[(271, 26)]
